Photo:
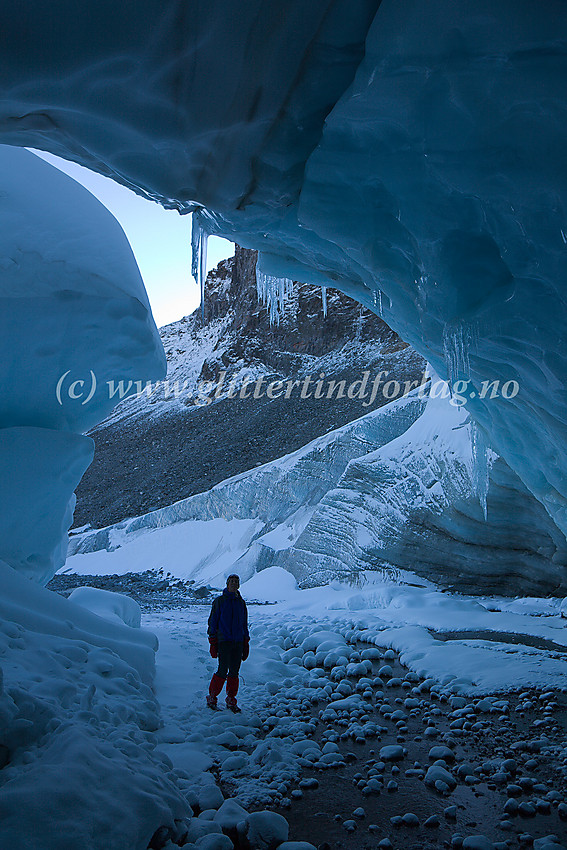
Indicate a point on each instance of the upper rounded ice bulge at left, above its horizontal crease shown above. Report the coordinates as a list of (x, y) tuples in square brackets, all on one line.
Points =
[(74, 306)]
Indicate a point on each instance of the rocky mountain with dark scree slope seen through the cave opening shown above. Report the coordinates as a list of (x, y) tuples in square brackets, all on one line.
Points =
[(207, 422)]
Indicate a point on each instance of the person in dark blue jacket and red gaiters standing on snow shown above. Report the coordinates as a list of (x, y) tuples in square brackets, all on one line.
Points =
[(229, 641)]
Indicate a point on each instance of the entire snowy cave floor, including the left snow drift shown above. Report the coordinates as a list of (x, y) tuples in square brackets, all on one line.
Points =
[(101, 754)]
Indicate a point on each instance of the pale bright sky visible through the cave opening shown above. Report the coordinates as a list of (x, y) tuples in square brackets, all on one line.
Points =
[(160, 240)]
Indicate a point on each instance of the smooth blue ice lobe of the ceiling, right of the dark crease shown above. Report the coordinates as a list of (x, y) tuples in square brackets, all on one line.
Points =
[(447, 157)]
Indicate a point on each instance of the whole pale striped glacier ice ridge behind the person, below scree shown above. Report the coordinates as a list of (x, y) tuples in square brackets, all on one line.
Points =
[(395, 491)]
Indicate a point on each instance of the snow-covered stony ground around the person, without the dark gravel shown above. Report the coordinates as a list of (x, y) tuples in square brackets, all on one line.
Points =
[(322, 655)]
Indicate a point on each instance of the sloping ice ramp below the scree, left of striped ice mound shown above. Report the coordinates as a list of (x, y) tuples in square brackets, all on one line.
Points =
[(249, 517)]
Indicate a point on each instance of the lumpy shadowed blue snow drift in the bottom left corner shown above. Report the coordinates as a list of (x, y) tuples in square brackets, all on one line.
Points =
[(78, 717)]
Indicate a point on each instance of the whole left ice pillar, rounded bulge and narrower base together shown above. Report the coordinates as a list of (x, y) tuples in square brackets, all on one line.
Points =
[(74, 322)]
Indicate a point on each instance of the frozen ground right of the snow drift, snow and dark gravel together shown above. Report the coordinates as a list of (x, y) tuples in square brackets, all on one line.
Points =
[(390, 712)]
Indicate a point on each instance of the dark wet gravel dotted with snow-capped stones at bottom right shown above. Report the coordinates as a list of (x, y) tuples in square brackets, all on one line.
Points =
[(527, 737)]
